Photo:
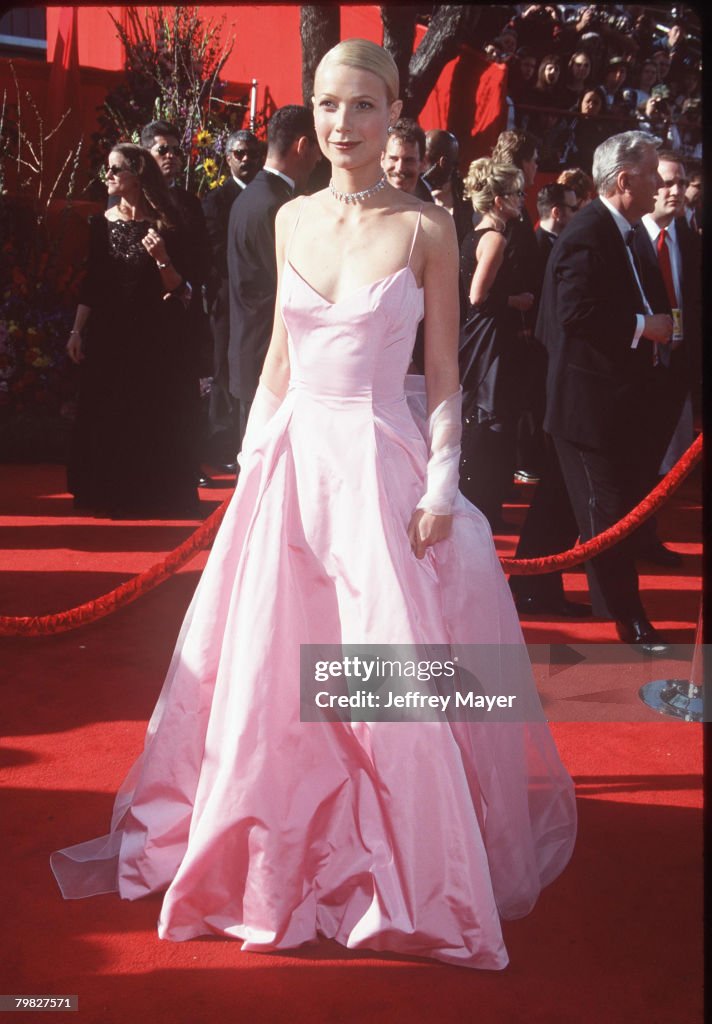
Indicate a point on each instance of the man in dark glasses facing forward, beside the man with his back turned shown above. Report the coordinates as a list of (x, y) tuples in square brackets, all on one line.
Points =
[(244, 159)]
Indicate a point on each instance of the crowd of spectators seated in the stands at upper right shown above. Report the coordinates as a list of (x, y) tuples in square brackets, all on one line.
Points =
[(576, 76)]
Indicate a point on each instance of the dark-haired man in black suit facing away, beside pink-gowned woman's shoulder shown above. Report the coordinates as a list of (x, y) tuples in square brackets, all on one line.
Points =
[(292, 154)]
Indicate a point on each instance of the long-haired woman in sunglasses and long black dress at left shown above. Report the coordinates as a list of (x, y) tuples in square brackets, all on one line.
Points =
[(133, 454)]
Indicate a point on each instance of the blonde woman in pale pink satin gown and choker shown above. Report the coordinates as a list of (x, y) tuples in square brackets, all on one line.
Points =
[(347, 528)]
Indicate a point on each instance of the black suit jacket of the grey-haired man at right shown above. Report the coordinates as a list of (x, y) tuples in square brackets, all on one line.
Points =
[(598, 386)]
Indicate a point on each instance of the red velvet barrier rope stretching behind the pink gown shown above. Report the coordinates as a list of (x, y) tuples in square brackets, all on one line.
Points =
[(33, 626)]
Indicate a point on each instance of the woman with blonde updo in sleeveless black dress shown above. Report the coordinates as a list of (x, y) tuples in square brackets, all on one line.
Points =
[(490, 346)]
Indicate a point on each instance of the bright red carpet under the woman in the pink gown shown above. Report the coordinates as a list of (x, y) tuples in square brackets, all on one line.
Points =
[(617, 938)]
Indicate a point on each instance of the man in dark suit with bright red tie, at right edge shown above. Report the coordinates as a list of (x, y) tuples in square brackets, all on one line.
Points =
[(668, 252)]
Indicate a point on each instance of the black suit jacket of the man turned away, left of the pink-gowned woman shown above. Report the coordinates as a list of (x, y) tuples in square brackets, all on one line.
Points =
[(253, 273)]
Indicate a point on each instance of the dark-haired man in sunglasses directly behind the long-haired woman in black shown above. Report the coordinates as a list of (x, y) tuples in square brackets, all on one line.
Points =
[(161, 139)]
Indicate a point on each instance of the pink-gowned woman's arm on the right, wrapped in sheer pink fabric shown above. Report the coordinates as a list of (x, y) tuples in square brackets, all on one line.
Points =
[(432, 522)]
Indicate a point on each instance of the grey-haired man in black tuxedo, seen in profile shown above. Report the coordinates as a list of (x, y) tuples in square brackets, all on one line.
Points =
[(601, 335)]
